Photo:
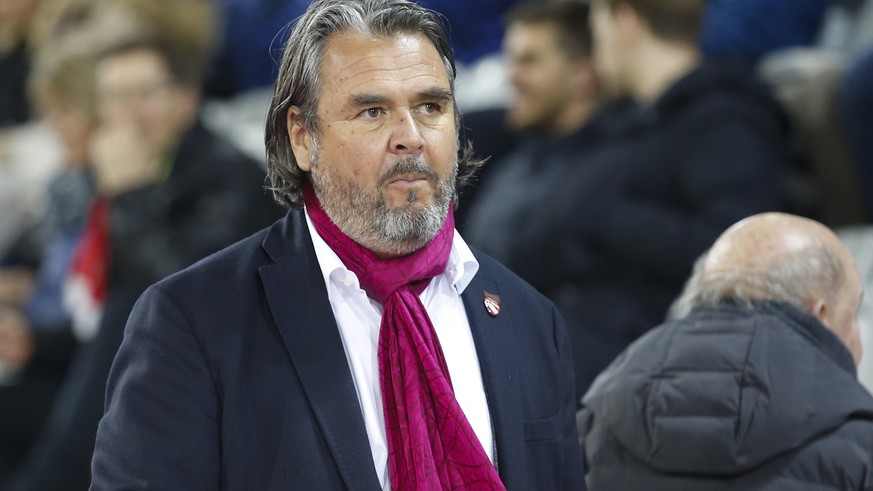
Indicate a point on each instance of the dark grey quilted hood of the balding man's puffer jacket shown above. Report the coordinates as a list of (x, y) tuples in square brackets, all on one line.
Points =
[(726, 389)]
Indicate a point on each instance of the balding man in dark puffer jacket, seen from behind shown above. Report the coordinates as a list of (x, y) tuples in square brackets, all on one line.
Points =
[(753, 386)]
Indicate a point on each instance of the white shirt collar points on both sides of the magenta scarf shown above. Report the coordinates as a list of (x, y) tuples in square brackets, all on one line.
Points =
[(461, 267)]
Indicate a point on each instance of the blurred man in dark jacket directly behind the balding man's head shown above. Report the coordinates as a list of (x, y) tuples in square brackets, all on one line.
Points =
[(700, 151)]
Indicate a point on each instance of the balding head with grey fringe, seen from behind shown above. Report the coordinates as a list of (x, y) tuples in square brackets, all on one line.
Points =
[(784, 258)]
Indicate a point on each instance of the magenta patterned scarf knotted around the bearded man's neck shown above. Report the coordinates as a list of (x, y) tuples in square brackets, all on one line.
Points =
[(431, 445)]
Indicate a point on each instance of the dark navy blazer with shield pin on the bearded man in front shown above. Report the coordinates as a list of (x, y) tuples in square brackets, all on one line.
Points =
[(232, 375)]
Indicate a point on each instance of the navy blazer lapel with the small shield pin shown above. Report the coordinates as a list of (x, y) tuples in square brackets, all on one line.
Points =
[(497, 353)]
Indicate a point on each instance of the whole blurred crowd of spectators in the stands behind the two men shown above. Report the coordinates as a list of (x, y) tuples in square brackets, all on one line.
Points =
[(131, 146)]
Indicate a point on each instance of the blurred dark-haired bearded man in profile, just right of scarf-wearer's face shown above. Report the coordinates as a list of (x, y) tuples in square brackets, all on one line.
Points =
[(548, 55)]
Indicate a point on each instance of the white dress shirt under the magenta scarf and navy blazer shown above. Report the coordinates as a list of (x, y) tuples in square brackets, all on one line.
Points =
[(359, 317)]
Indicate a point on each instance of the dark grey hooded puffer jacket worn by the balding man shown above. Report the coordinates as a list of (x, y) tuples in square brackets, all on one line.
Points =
[(730, 399)]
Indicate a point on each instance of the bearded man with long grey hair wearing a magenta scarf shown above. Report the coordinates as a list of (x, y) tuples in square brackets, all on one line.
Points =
[(358, 343)]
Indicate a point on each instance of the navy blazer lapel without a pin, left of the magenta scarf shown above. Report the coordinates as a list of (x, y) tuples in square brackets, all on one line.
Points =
[(295, 292)]
